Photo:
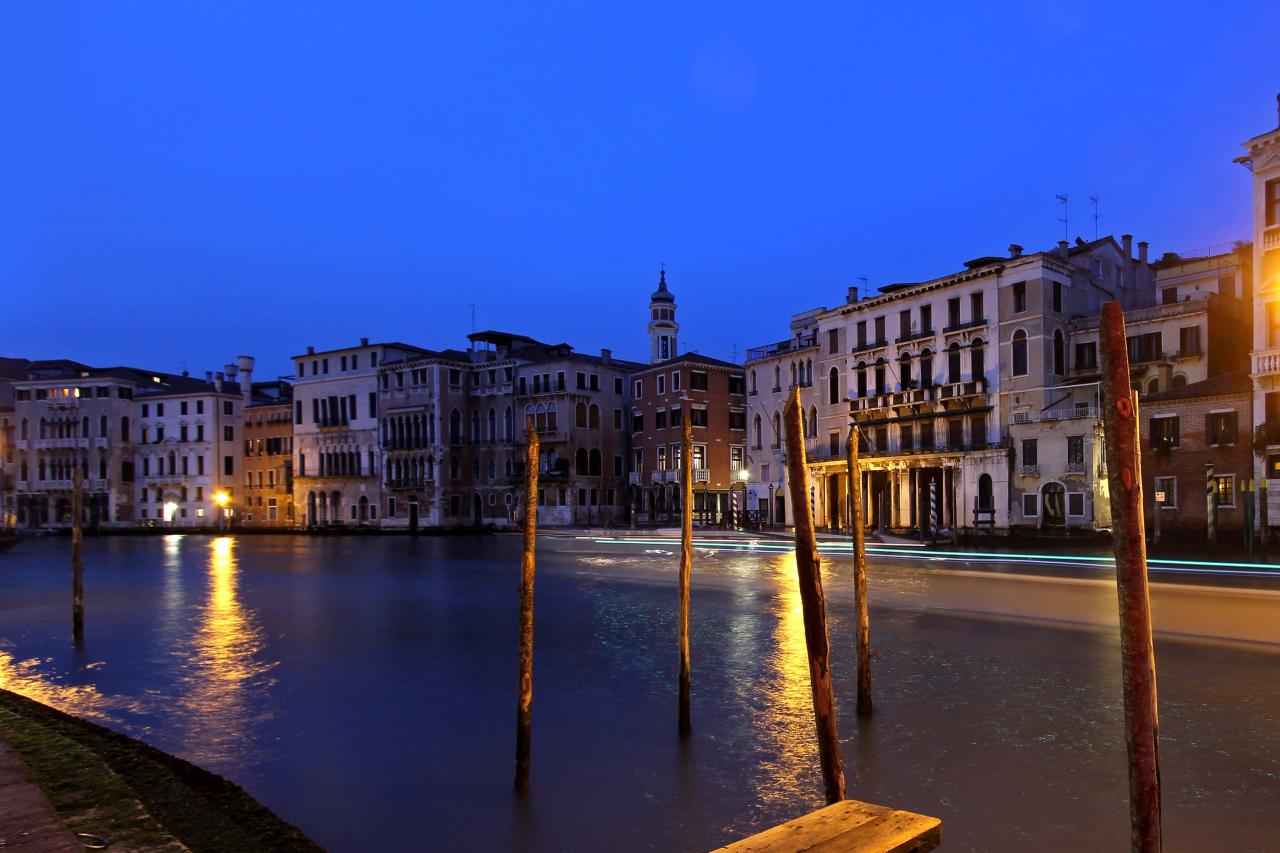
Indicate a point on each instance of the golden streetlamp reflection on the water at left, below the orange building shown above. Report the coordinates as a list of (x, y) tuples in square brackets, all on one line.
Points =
[(223, 682)]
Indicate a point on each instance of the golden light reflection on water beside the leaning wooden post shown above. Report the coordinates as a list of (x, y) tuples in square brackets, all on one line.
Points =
[(787, 724)]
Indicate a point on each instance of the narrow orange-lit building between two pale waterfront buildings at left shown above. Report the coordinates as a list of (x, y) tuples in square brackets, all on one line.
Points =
[(268, 500)]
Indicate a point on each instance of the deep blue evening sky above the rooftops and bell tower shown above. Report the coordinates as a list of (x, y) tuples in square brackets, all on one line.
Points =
[(186, 183)]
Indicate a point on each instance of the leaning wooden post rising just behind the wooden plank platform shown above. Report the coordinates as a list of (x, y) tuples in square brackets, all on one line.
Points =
[(817, 644)]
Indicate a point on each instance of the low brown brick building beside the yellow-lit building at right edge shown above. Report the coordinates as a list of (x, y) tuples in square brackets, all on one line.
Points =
[(1191, 436)]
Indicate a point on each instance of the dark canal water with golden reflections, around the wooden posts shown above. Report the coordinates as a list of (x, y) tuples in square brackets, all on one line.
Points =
[(365, 690)]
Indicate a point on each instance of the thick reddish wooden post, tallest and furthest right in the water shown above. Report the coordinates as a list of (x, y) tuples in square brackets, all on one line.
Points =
[(1139, 658)]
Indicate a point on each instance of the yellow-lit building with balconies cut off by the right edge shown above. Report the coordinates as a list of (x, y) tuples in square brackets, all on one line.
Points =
[(1263, 159)]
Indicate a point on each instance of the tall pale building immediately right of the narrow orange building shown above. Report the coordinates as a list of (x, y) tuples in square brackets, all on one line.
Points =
[(337, 459)]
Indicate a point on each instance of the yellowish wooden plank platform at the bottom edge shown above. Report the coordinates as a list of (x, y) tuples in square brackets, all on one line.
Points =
[(849, 827)]
